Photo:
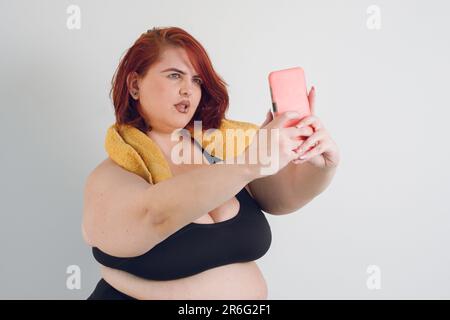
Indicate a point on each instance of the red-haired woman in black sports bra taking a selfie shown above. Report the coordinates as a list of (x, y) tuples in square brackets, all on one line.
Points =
[(196, 235)]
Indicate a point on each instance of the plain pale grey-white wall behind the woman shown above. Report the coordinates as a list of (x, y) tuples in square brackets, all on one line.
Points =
[(382, 94)]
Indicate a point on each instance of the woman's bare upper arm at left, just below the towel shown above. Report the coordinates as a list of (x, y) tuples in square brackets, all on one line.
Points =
[(115, 212)]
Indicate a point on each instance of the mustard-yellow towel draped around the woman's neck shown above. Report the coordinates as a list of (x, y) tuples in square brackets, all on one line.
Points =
[(134, 151)]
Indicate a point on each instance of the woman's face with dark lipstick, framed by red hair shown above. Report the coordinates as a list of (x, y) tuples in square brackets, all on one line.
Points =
[(163, 87)]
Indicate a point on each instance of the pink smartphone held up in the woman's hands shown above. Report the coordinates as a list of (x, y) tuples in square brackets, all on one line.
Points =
[(288, 92)]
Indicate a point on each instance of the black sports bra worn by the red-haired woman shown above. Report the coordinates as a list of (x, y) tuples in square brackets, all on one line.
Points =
[(197, 247)]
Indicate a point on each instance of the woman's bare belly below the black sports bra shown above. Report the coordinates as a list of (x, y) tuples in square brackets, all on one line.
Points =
[(240, 281)]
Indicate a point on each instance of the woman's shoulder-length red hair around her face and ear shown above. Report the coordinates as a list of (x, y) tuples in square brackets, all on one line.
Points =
[(145, 52)]
